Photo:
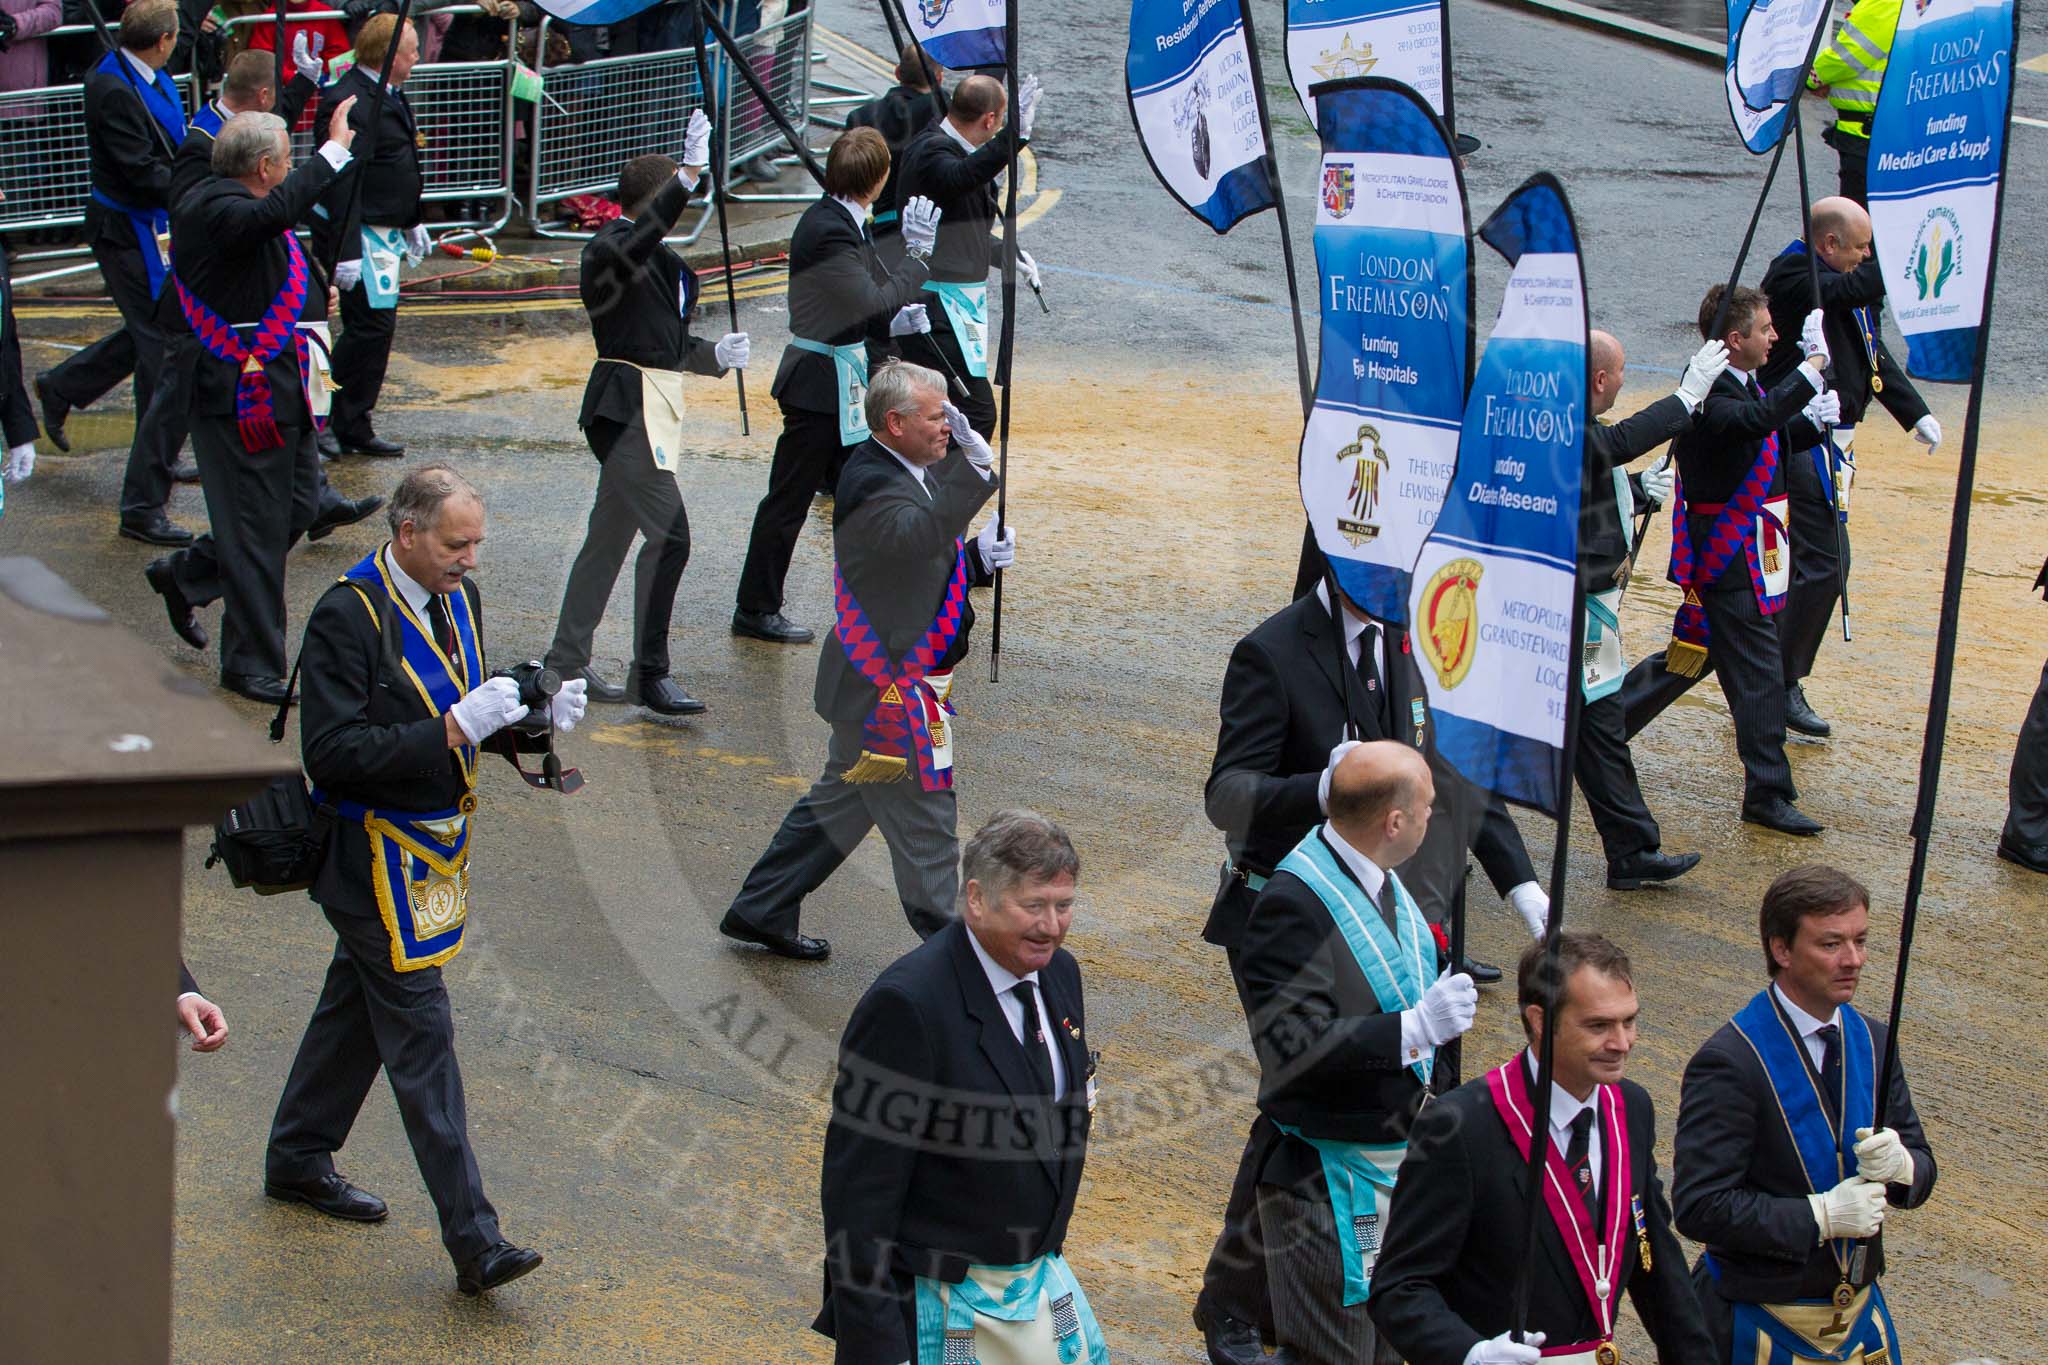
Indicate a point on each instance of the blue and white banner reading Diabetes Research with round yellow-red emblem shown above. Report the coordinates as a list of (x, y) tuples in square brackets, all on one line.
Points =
[(1494, 586)]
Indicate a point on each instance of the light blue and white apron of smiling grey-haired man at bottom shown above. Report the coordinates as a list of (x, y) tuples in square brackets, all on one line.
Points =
[(1009, 1315)]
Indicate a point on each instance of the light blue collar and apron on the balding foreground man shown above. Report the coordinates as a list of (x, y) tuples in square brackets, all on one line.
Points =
[(1361, 1176)]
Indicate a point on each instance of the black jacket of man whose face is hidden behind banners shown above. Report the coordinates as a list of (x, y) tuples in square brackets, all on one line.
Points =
[(1287, 699)]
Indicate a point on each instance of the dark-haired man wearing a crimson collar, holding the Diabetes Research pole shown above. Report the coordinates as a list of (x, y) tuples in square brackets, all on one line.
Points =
[(1455, 1239)]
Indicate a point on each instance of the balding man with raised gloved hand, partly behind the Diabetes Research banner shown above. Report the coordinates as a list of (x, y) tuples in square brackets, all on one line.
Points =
[(1607, 531)]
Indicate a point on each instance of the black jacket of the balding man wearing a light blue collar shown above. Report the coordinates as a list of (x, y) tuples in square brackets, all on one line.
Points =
[(1330, 1057)]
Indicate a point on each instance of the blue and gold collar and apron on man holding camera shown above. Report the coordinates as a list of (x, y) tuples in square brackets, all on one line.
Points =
[(421, 858)]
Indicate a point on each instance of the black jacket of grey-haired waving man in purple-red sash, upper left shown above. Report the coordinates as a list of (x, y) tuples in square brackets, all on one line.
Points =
[(228, 251)]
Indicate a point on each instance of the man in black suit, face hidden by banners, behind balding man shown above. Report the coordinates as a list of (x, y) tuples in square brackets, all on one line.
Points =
[(1297, 695)]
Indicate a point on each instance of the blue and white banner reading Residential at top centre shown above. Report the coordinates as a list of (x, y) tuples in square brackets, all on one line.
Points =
[(1197, 107)]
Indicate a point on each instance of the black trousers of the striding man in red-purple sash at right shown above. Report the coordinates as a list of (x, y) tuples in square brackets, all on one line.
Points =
[(1744, 656)]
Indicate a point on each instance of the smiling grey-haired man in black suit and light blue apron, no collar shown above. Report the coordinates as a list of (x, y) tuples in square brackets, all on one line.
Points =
[(959, 1129)]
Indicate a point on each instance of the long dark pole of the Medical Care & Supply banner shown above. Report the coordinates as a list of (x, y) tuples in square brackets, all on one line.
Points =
[(1945, 642)]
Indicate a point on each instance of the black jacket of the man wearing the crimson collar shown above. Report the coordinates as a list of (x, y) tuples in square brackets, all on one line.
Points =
[(1453, 1243)]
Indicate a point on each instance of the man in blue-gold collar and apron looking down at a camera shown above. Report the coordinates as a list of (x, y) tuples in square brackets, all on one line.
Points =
[(398, 713)]
